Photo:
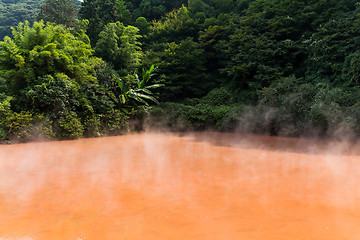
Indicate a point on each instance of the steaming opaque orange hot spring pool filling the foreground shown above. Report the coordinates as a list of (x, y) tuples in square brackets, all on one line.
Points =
[(213, 186)]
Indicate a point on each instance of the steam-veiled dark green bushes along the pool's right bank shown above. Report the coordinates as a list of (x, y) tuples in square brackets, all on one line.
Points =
[(296, 107)]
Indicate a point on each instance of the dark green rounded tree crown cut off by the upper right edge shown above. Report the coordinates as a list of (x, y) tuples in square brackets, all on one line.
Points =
[(333, 49)]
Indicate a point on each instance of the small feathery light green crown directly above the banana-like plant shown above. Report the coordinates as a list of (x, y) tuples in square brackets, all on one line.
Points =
[(119, 46)]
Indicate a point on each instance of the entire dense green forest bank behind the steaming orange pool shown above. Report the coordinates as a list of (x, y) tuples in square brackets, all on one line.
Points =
[(288, 68)]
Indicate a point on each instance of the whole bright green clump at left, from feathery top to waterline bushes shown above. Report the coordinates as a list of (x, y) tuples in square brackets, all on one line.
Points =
[(52, 83)]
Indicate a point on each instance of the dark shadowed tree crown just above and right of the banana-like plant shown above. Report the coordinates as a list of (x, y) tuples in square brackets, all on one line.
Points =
[(182, 69)]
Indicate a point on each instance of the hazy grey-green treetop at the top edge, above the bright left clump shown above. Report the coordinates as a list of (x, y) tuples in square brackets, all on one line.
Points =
[(59, 12)]
